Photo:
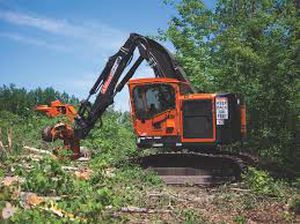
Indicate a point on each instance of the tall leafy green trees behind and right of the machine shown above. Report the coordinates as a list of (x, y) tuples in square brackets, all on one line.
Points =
[(252, 49)]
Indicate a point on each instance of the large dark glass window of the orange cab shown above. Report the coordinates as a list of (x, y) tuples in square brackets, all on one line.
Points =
[(151, 100)]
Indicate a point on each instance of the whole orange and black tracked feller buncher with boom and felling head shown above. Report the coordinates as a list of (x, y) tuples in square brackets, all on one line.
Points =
[(167, 113)]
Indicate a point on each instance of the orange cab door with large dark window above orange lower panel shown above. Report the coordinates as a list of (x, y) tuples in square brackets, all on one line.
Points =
[(154, 109)]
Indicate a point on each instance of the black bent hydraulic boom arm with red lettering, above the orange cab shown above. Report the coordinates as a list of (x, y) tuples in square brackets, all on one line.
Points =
[(108, 85)]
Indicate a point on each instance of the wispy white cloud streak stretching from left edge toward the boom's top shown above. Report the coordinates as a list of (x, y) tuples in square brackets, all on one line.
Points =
[(97, 36)]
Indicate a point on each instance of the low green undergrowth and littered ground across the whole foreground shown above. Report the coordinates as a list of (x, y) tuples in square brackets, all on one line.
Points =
[(116, 183)]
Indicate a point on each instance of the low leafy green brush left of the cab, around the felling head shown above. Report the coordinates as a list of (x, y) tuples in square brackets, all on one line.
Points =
[(111, 146)]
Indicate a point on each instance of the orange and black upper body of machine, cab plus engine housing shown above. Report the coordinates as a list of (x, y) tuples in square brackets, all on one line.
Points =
[(165, 112)]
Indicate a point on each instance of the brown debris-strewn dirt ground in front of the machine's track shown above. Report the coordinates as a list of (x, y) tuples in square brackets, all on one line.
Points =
[(226, 204)]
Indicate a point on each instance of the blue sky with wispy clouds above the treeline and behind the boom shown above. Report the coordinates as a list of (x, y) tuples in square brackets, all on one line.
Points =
[(65, 44)]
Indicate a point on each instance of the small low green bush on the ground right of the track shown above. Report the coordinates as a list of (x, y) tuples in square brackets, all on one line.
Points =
[(261, 183)]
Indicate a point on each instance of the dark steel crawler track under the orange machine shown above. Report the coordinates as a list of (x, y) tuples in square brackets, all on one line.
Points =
[(196, 168)]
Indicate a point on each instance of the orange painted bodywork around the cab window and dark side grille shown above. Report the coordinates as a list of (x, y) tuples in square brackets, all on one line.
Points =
[(170, 121)]
